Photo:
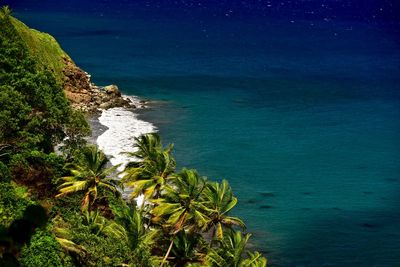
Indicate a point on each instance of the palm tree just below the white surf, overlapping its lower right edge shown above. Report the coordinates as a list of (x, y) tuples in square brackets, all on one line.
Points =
[(156, 164)]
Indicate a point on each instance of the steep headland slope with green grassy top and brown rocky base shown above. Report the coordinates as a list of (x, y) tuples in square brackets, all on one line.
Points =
[(80, 91)]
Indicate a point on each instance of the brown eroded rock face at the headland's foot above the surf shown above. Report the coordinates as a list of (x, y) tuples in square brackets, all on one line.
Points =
[(85, 95)]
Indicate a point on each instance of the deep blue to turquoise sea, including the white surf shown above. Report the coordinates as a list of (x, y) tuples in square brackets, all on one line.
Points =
[(298, 108)]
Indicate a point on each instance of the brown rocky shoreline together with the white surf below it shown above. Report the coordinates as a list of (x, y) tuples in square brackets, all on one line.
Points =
[(111, 116)]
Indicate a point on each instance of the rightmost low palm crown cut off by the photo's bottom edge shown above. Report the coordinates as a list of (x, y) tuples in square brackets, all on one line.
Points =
[(231, 250)]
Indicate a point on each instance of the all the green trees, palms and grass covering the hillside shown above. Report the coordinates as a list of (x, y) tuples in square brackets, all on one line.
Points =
[(64, 207)]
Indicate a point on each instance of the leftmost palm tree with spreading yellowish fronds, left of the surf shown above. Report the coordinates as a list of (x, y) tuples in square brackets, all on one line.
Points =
[(89, 175)]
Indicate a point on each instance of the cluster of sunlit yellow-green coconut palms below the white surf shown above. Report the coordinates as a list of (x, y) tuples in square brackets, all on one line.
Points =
[(184, 219)]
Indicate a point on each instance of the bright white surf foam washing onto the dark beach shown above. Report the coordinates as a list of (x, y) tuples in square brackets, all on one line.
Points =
[(123, 126)]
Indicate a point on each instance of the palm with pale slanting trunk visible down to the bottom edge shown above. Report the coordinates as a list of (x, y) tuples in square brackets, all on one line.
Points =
[(180, 206)]
